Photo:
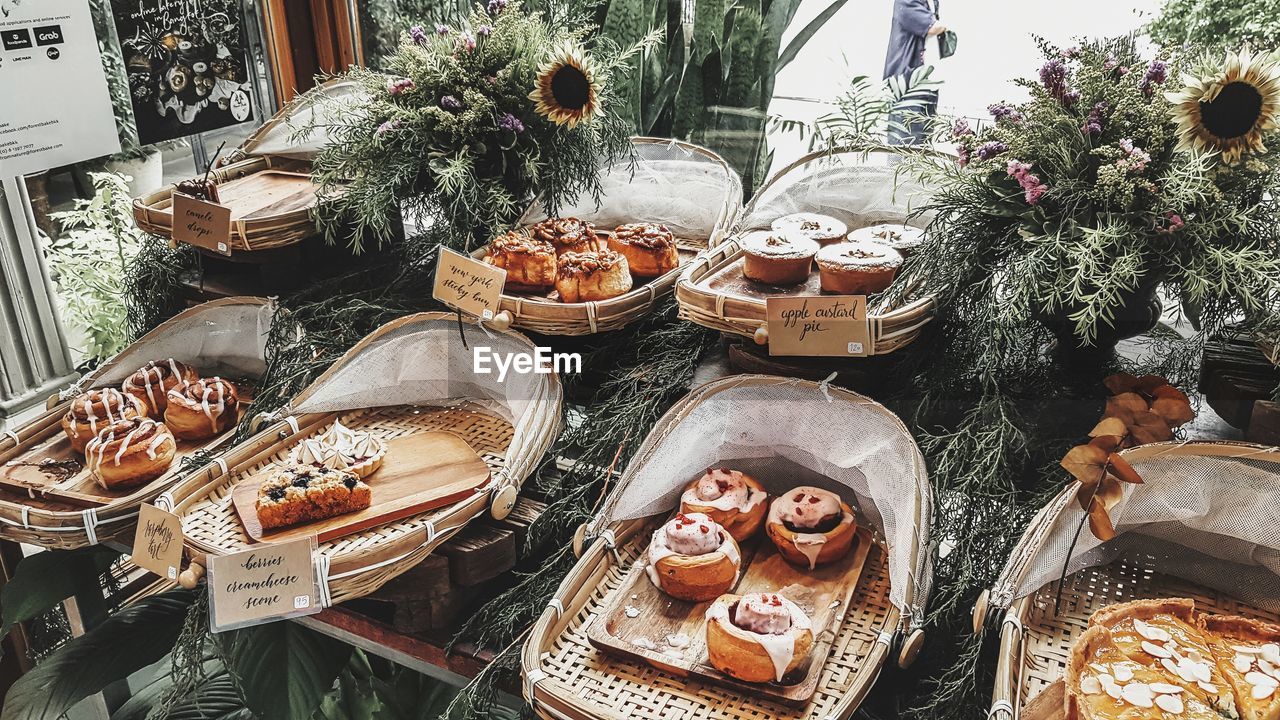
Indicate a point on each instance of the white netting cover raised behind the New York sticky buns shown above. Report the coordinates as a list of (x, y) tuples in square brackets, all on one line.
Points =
[(682, 186)]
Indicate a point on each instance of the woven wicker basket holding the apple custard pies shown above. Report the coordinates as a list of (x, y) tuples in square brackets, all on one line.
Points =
[(892, 327)]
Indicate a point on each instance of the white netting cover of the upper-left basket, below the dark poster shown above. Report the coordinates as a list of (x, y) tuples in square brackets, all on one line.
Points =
[(318, 108)]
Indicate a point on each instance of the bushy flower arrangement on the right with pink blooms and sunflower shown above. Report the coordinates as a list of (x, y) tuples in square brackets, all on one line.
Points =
[(1118, 180)]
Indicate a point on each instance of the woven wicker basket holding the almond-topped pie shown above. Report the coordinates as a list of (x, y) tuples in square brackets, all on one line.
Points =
[(1036, 641)]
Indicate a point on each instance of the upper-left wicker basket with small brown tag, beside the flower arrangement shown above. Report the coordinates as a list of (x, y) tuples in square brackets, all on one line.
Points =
[(267, 183)]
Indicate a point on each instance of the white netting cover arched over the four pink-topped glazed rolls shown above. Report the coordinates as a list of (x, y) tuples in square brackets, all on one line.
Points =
[(788, 435)]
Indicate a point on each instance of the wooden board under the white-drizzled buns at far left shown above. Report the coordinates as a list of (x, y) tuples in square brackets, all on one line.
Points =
[(66, 482)]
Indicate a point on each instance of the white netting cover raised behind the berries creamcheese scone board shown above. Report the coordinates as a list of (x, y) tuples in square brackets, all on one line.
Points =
[(427, 363)]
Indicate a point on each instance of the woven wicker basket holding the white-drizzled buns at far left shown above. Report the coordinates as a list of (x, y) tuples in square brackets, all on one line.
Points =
[(56, 525)]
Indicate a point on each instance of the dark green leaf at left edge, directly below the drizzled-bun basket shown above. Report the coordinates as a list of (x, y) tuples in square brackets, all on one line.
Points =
[(48, 578)]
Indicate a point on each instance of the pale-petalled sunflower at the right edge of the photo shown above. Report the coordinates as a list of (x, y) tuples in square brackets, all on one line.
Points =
[(1228, 108)]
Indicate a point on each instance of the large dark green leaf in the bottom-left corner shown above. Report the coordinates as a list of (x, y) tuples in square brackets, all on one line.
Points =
[(125, 644)]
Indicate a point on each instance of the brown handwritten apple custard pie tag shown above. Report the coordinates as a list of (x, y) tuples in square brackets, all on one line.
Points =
[(819, 326)]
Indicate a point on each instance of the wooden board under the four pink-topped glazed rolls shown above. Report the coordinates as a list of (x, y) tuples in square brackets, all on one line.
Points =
[(822, 594)]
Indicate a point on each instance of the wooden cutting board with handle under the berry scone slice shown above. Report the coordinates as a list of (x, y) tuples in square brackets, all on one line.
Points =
[(420, 473)]
